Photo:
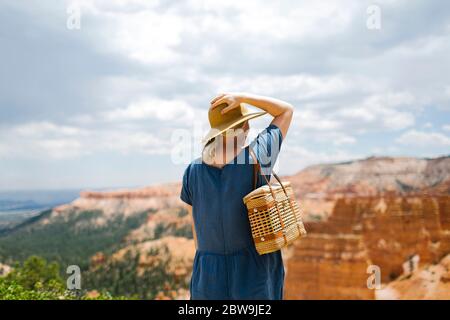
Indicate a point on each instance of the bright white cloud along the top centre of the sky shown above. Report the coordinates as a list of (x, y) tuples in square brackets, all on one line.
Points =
[(151, 32)]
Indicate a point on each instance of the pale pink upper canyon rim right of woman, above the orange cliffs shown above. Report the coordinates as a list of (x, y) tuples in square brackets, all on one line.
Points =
[(319, 186)]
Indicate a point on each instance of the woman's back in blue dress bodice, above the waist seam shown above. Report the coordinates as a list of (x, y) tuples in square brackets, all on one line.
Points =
[(220, 216)]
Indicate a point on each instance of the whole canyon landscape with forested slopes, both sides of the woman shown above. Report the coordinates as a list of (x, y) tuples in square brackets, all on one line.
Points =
[(377, 211)]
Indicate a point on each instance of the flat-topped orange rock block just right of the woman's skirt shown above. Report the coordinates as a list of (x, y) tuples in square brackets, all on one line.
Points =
[(328, 267)]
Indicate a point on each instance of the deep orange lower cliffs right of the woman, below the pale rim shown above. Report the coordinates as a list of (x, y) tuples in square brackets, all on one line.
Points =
[(331, 263)]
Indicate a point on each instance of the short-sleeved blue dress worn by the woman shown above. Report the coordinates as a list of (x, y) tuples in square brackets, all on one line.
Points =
[(226, 264)]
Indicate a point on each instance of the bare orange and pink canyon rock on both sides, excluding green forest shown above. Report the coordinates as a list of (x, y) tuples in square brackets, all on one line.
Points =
[(388, 213)]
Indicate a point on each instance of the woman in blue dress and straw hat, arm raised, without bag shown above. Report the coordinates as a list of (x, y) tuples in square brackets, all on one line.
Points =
[(226, 264)]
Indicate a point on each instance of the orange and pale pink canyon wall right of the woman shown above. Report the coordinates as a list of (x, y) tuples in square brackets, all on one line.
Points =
[(392, 213)]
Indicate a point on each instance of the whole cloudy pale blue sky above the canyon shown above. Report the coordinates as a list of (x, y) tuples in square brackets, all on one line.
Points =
[(105, 94)]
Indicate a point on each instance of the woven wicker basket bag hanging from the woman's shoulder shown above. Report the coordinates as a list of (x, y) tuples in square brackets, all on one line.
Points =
[(274, 214)]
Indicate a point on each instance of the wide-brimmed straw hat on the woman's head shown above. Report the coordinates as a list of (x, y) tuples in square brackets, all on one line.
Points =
[(220, 123)]
